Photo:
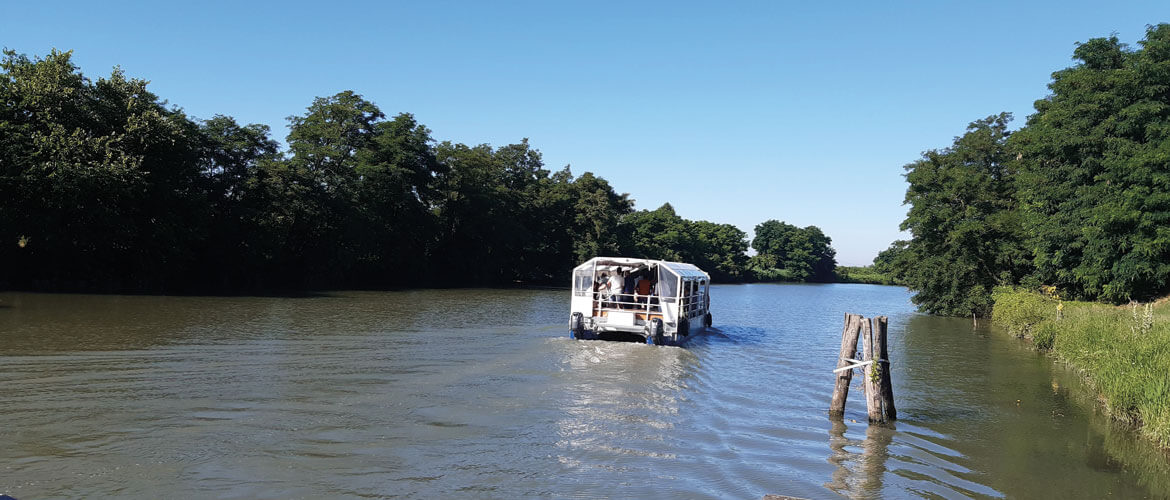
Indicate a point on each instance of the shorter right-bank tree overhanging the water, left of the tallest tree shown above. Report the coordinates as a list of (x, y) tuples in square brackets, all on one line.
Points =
[(965, 222)]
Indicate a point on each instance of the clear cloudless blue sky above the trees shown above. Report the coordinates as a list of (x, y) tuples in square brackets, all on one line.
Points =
[(732, 112)]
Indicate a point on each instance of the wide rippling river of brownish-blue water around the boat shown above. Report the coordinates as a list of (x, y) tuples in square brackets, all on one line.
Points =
[(481, 394)]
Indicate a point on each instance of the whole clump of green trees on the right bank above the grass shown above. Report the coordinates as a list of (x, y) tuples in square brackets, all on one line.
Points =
[(1078, 198)]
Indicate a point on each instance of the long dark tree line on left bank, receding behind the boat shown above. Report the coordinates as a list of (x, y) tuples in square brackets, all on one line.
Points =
[(106, 188)]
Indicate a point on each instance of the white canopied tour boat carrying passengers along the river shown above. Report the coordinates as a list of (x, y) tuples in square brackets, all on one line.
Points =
[(652, 302)]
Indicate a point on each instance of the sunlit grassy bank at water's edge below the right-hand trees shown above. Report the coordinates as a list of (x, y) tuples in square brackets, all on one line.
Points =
[(1125, 352)]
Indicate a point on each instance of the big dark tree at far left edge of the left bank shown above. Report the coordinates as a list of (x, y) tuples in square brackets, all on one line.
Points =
[(100, 177)]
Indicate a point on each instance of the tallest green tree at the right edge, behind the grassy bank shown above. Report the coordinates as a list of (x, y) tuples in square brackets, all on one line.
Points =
[(1096, 170)]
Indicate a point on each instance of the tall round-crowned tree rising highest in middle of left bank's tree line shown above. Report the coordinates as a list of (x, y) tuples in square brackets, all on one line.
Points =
[(356, 194)]
